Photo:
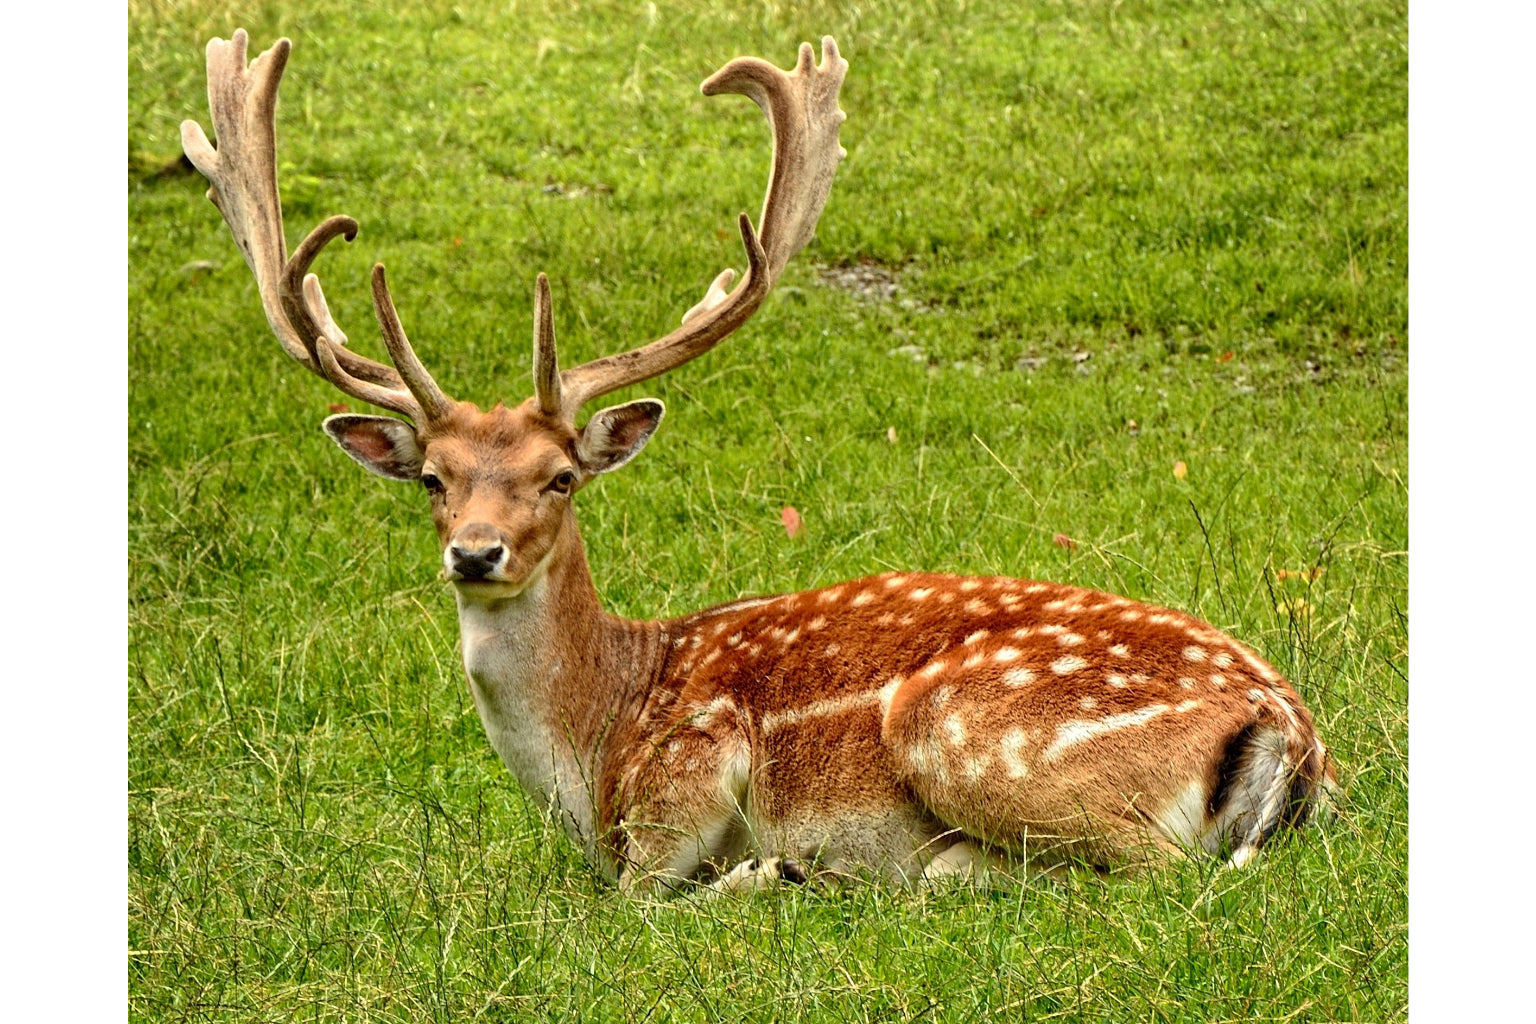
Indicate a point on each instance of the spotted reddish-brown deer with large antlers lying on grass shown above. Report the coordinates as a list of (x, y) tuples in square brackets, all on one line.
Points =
[(905, 727)]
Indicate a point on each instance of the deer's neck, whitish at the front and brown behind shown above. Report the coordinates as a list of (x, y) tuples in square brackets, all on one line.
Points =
[(554, 678)]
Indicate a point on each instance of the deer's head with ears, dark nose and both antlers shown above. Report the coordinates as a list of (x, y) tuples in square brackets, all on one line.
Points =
[(502, 481)]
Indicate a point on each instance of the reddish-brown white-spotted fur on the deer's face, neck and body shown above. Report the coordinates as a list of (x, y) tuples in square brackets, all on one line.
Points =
[(872, 724)]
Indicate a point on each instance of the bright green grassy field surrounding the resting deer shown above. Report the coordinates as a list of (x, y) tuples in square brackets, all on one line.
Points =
[(1073, 246)]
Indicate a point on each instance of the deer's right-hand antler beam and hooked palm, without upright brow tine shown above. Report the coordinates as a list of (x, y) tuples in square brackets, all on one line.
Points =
[(803, 113)]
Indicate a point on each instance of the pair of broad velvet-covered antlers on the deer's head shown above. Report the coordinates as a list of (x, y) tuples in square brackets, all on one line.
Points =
[(803, 113)]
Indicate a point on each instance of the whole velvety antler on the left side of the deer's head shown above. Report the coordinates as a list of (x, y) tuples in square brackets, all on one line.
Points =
[(243, 187)]
